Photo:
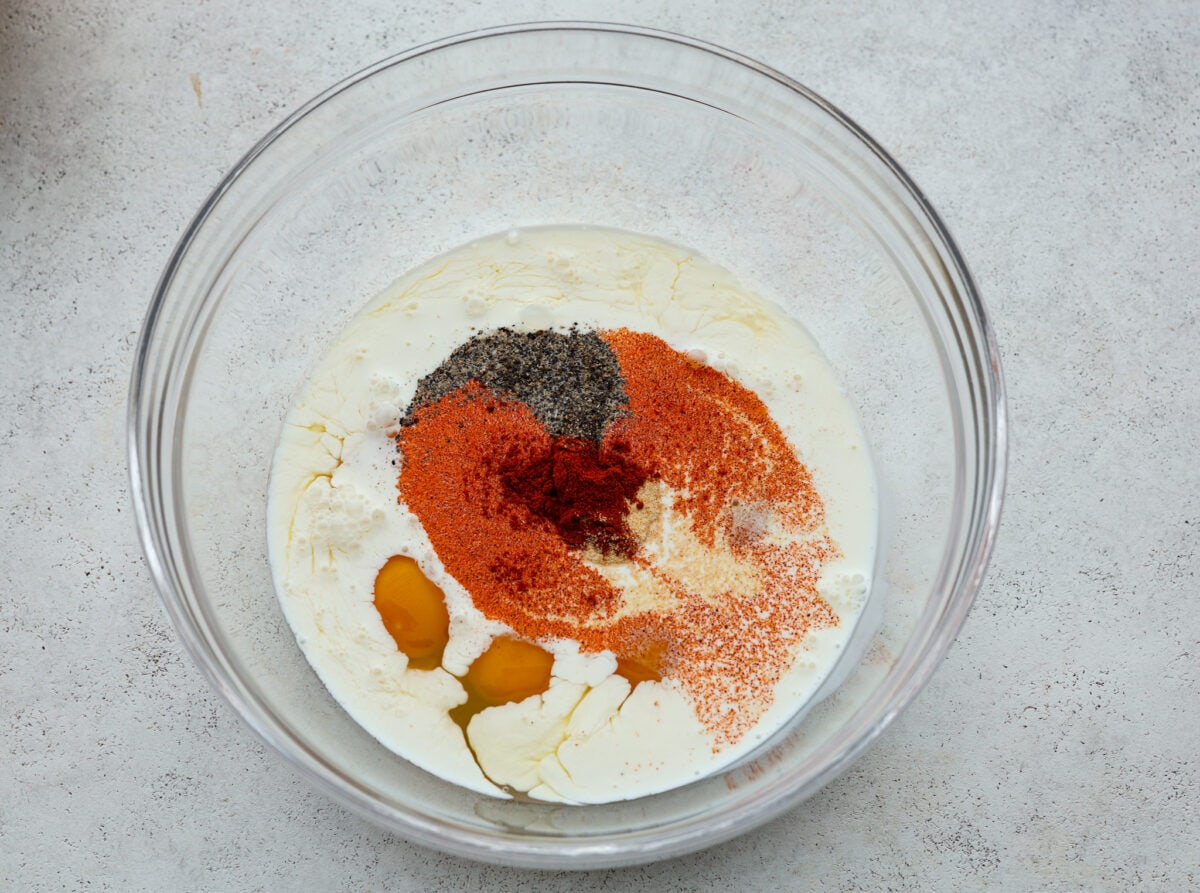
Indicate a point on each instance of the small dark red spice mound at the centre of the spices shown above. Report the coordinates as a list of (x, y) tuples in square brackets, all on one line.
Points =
[(583, 488)]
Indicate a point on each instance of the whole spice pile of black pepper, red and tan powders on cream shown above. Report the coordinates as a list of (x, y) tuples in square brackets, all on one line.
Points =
[(604, 488)]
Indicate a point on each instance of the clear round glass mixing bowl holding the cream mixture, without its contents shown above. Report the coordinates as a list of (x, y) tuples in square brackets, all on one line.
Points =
[(543, 124)]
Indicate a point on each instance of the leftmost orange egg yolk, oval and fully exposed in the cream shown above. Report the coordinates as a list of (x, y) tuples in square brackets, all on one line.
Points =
[(413, 610)]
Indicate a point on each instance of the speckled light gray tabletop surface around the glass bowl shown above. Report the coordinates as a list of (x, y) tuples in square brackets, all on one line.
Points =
[(1057, 750)]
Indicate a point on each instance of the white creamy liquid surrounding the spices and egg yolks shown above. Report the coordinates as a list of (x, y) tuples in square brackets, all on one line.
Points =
[(334, 517)]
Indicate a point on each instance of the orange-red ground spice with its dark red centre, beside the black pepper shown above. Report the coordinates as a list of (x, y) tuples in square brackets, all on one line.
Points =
[(472, 465)]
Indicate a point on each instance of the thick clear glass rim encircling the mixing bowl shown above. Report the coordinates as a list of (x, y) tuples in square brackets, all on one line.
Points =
[(143, 427)]
